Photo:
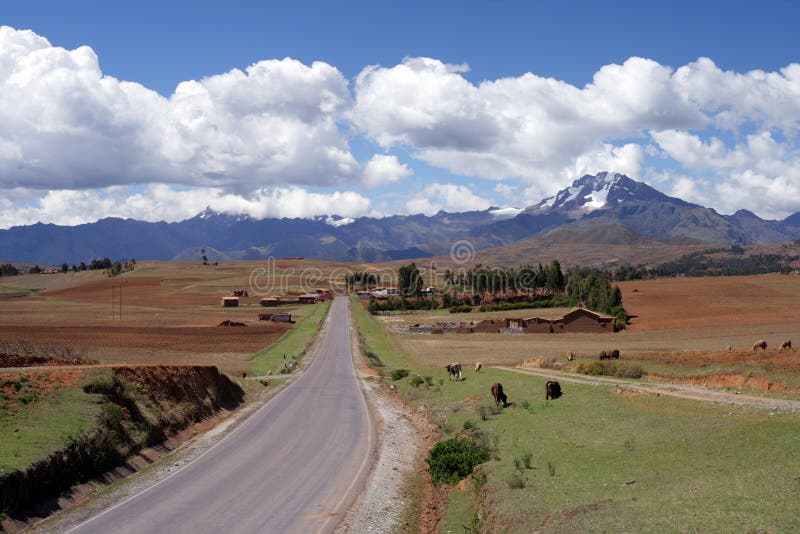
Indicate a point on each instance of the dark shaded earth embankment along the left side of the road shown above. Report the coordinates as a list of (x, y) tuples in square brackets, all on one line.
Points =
[(140, 407)]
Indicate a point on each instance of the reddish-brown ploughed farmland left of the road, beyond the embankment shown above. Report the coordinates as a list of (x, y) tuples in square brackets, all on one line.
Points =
[(170, 313)]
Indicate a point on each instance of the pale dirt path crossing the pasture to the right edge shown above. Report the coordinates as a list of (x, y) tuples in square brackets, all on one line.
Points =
[(684, 391)]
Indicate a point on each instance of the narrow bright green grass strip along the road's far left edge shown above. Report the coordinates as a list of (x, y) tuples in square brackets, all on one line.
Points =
[(293, 343)]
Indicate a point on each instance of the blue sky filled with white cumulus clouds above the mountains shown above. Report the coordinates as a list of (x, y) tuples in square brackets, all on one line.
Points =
[(703, 153)]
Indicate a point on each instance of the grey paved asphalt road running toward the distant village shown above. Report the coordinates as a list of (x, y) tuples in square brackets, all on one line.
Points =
[(295, 465)]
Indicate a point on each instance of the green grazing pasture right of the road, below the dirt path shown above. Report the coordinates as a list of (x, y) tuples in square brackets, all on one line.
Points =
[(601, 461)]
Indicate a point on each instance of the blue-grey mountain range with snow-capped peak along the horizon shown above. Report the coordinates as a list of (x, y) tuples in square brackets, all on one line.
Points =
[(602, 200)]
